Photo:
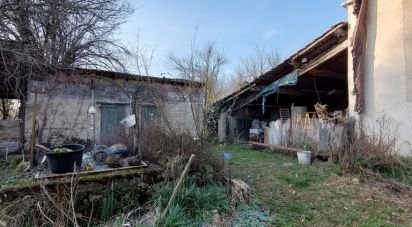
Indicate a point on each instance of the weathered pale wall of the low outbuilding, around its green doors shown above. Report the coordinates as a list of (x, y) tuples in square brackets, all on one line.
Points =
[(63, 112)]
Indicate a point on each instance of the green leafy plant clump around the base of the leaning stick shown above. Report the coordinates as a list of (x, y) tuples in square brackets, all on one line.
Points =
[(194, 204)]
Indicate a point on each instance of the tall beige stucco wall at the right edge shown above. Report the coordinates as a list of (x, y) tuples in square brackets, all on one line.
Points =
[(386, 89)]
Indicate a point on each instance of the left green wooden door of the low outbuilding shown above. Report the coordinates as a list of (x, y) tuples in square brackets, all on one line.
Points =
[(111, 130)]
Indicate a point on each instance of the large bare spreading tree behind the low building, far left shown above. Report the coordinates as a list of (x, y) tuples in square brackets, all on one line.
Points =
[(44, 35)]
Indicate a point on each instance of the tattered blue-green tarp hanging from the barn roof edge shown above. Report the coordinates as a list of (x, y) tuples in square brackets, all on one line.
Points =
[(290, 79)]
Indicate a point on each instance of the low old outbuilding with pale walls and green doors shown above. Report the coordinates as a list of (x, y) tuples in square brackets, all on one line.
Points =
[(89, 105)]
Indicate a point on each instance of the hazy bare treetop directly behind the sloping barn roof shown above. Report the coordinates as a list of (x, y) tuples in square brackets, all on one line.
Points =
[(255, 65)]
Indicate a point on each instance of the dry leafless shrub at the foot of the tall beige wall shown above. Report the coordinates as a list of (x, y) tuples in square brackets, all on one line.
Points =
[(372, 149)]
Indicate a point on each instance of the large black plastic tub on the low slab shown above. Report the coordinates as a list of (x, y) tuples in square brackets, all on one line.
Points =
[(64, 162)]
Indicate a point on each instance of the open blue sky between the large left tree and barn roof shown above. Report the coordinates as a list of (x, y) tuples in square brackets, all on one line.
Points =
[(236, 26)]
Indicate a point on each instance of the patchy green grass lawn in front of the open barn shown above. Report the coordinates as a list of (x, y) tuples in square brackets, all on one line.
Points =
[(318, 194)]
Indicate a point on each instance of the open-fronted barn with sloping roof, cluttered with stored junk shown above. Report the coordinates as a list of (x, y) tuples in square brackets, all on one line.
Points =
[(287, 95)]
